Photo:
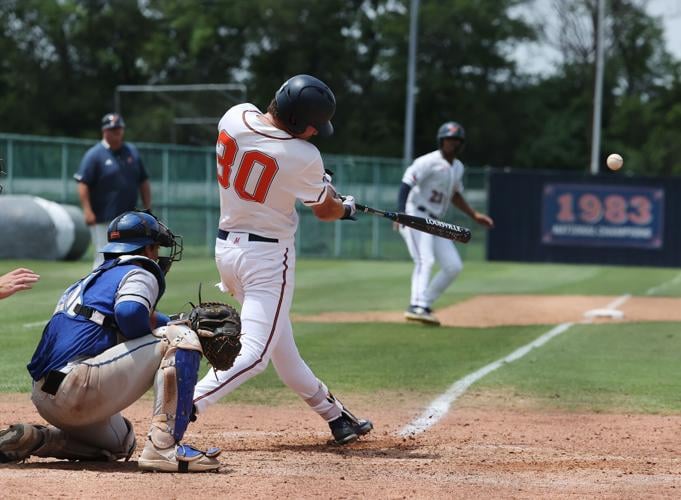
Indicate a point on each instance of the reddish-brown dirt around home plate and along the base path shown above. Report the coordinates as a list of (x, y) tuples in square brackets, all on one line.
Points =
[(488, 446)]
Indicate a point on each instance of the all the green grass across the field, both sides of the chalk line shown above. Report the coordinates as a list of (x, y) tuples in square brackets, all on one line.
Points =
[(624, 367)]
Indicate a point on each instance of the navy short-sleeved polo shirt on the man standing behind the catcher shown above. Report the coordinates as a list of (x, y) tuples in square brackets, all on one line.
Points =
[(113, 178)]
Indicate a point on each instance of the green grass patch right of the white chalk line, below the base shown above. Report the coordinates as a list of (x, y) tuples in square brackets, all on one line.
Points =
[(629, 366)]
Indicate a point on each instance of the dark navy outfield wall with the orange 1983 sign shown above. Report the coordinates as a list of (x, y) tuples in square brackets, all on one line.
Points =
[(609, 218)]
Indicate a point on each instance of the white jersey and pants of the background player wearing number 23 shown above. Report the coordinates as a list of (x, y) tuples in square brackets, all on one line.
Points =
[(433, 181)]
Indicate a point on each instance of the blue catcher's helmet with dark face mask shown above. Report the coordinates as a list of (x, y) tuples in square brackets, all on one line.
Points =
[(132, 231)]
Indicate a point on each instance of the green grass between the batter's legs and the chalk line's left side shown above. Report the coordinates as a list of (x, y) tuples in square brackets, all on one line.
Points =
[(366, 358)]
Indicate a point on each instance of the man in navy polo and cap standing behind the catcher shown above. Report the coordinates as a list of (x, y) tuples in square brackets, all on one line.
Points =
[(109, 177)]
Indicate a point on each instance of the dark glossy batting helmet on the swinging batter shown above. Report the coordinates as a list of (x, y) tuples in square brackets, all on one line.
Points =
[(305, 100)]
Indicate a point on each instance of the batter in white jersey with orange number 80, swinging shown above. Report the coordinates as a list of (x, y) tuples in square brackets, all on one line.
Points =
[(264, 164)]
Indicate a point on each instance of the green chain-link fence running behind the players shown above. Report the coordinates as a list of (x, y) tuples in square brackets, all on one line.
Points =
[(185, 194)]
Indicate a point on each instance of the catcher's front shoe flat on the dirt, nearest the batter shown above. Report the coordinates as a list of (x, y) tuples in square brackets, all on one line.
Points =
[(183, 458)]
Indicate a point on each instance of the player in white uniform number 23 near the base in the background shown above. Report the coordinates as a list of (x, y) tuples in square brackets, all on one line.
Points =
[(429, 184)]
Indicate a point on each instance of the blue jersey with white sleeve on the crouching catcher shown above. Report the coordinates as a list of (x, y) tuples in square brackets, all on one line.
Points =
[(70, 336)]
